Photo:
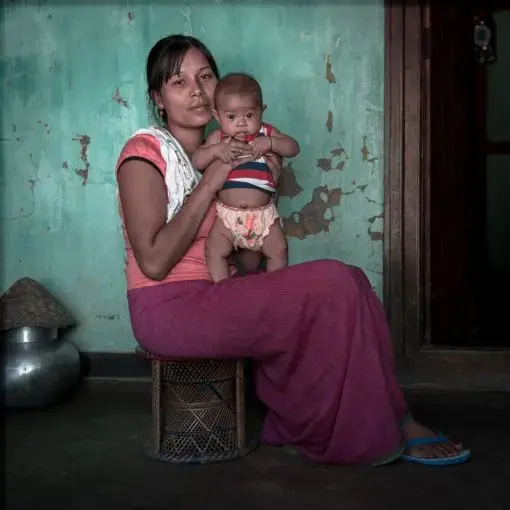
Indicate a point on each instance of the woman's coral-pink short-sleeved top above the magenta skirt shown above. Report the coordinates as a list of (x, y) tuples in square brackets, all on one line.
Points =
[(192, 266)]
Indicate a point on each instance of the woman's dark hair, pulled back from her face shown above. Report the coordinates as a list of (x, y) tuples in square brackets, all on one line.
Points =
[(165, 59)]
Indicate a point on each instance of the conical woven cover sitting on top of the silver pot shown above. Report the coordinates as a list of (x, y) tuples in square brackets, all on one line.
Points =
[(28, 303)]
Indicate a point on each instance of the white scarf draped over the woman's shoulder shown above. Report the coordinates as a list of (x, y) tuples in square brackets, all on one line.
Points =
[(180, 176)]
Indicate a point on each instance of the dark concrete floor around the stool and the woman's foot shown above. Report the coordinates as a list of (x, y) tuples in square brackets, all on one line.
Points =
[(87, 453)]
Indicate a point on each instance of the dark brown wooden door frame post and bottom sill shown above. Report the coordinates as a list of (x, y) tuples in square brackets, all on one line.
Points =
[(406, 198)]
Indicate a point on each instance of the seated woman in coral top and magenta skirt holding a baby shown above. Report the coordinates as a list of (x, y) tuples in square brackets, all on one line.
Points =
[(316, 331)]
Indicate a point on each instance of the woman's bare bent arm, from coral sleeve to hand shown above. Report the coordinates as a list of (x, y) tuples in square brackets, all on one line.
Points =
[(158, 245)]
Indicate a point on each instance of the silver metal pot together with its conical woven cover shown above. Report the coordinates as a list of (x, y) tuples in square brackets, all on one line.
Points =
[(39, 367)]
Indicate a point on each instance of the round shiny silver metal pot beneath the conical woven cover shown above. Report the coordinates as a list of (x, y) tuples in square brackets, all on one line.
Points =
[(39, 367)]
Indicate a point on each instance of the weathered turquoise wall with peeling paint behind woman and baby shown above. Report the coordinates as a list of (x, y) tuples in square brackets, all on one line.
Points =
[(72, 91)]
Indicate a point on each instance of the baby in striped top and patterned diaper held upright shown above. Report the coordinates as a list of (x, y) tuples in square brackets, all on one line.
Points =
[(247, 217)]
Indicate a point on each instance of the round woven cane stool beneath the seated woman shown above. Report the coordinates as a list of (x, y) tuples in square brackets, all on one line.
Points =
[(198, 411)]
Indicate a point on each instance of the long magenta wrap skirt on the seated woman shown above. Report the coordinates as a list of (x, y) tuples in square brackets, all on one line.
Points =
[(321, 349)]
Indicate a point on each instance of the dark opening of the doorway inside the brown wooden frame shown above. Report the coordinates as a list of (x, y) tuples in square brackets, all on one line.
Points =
[(468, 150)]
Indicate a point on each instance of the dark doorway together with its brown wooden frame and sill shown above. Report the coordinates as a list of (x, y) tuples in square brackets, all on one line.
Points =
[(447, 314)]
